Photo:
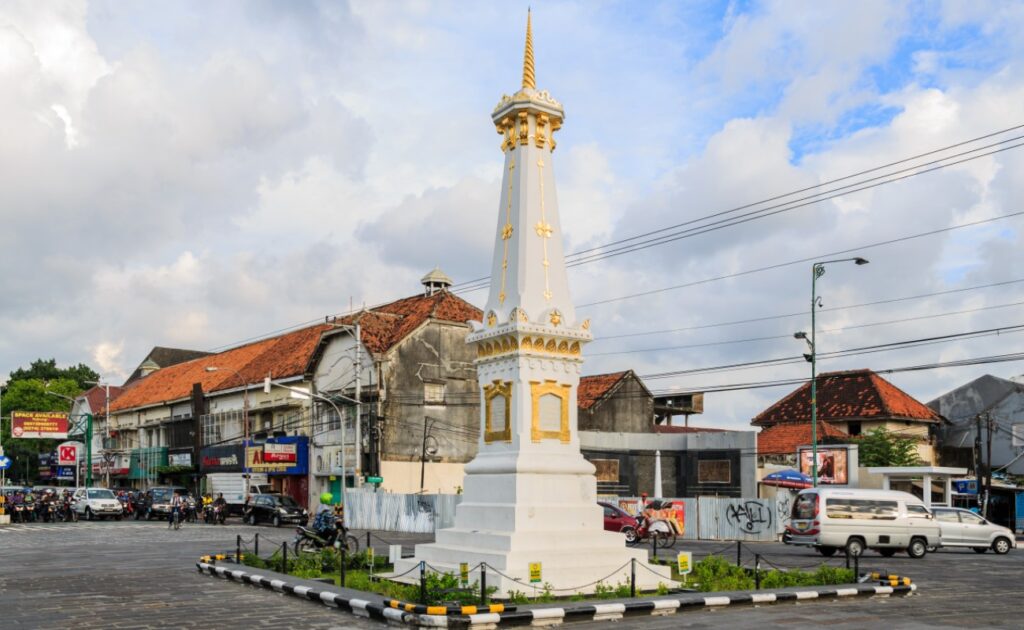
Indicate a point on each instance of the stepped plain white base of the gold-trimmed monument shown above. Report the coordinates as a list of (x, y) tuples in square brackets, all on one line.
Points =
[(511, 521)]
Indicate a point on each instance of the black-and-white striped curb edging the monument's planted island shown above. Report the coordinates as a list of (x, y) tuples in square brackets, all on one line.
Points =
[(545, 617)]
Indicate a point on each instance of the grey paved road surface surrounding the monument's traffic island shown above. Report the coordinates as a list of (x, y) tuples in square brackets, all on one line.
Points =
[(141, 575)]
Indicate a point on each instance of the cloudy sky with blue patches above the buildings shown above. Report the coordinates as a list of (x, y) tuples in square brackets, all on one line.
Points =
[(195, 175)]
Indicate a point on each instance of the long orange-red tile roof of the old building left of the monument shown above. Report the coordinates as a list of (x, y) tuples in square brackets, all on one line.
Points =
[(288, 355)]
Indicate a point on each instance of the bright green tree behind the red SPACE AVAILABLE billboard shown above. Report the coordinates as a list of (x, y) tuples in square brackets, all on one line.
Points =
[(30, 395)]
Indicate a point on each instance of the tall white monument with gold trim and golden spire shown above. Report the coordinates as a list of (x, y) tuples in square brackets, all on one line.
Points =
[(530, 495)]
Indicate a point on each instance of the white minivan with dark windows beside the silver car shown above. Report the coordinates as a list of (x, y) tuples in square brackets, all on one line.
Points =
[(854, 520)]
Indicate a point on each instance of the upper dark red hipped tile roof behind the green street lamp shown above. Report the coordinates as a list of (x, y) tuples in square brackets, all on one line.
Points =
[(847, 396)]
